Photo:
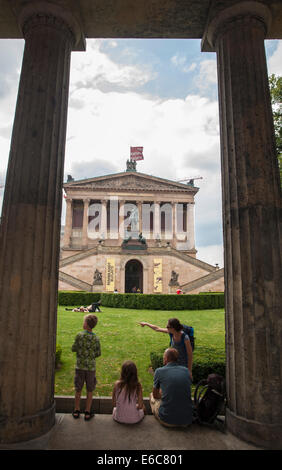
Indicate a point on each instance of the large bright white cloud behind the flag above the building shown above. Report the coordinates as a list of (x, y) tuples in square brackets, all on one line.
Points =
[(106, 124)]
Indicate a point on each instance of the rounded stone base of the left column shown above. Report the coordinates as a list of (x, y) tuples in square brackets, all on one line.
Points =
[(27, 427)]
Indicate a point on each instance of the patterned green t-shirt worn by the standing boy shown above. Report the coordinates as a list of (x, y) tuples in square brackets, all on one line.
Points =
[(87, 348)]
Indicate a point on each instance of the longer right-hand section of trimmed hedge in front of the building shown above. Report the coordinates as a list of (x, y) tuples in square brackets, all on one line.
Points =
[(164, 301)]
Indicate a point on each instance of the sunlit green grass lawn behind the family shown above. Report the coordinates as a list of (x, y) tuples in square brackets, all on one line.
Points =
[(122, 338)]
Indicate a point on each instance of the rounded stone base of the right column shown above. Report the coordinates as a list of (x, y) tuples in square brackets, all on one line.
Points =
[(268, 436)]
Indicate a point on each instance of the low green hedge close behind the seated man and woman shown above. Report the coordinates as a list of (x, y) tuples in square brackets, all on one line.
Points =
[(205, 361)]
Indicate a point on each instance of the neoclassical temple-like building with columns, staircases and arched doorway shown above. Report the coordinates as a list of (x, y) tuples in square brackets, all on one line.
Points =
[(130, 231)]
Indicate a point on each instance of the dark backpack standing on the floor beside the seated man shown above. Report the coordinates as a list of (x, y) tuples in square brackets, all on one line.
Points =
[(209, 398)]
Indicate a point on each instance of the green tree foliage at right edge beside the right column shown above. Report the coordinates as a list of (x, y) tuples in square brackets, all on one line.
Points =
[(275, 85)]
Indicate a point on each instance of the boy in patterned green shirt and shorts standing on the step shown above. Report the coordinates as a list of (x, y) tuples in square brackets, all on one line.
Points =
[(87, 348)]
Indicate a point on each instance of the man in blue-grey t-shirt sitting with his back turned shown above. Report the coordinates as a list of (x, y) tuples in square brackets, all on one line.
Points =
[(171, 400)]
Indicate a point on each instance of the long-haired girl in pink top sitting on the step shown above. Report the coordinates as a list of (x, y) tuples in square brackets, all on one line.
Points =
[(127, 396)]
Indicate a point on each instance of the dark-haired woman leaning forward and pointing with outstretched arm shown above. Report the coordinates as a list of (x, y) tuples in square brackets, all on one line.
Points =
[(179, 341)]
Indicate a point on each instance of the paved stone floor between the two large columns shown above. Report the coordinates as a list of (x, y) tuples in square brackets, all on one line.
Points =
[(102, 433)]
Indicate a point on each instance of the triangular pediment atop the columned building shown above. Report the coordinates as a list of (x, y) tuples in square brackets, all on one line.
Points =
[(132, 181)]
